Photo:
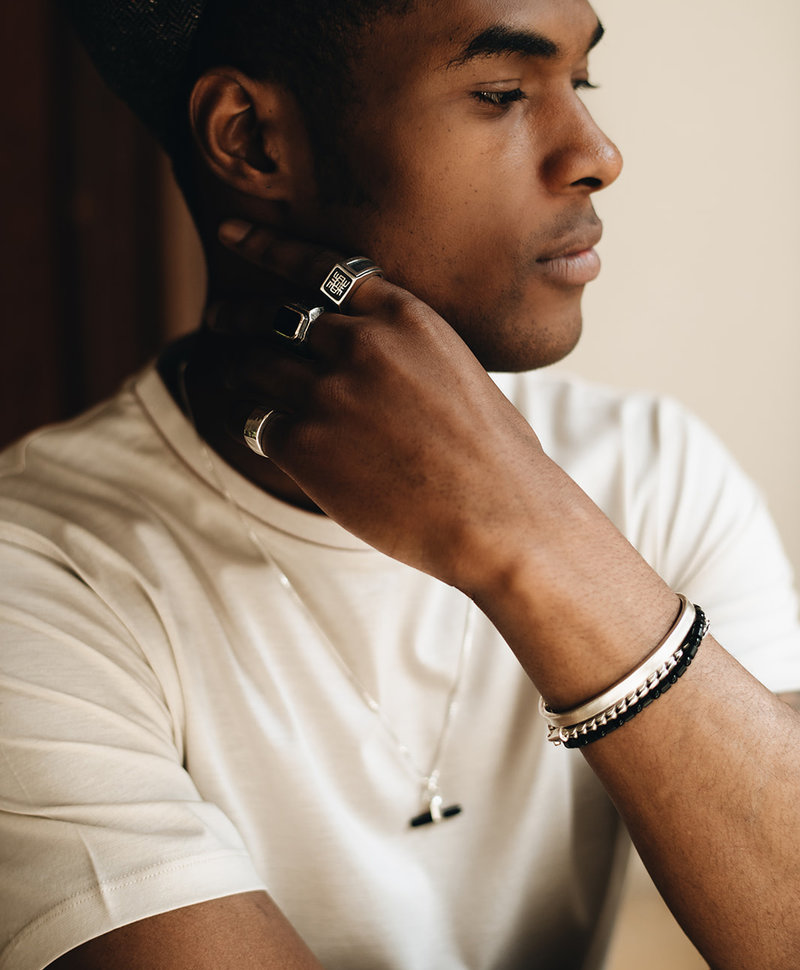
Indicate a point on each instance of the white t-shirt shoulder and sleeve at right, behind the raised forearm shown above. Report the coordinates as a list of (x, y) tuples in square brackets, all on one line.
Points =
[(673, 489)]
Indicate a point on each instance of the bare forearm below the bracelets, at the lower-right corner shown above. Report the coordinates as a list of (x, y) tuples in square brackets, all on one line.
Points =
[(707, 781)]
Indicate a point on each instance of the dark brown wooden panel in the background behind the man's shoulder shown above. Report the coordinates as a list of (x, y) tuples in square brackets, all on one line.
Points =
[(81, 268)]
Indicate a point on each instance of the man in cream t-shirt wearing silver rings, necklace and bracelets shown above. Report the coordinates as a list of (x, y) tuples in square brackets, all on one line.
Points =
[(252, 719)]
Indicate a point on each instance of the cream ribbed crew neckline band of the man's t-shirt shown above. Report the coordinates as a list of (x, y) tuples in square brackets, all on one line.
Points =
[(179, 434)]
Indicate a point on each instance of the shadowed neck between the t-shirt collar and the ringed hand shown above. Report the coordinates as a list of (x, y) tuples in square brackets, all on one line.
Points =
[(190, 371)]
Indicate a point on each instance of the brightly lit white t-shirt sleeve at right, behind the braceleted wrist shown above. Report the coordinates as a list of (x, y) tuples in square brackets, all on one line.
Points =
[(709, 534)]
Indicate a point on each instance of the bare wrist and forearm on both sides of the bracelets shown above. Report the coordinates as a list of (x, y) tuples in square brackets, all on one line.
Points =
[(706, 777)]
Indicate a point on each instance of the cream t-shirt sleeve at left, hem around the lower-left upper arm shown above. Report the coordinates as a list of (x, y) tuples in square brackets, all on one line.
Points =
[(100, 824)]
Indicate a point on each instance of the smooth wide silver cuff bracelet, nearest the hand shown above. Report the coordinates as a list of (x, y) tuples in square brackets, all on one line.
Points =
[(636, 685)]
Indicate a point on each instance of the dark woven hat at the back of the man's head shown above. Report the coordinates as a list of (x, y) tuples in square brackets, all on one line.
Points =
[(143, 49)]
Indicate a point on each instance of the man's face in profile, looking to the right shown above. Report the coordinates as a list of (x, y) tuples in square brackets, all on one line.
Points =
[(479, 158)]
